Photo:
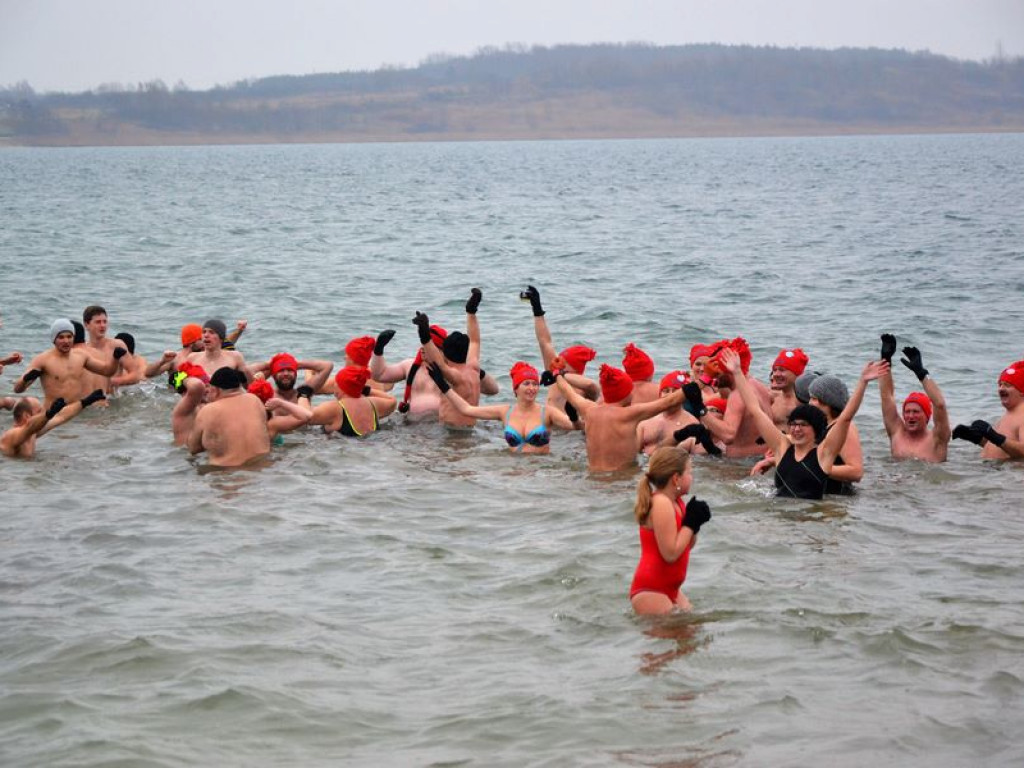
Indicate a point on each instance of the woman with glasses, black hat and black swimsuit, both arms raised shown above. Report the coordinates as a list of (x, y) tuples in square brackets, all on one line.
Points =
[(805, 456)]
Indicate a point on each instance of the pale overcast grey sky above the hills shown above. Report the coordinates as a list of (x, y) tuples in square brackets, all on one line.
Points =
[(79, 45)]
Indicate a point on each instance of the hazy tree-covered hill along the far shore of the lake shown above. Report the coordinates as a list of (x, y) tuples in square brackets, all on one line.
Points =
[(653, 86)]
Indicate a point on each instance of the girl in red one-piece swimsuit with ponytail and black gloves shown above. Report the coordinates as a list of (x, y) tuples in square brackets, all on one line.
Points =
[(668, 533)]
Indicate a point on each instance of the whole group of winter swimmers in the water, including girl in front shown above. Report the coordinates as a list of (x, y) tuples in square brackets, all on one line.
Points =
[(801, 424)]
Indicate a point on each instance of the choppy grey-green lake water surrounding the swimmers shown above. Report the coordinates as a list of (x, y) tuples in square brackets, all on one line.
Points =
[(424, 599)]
